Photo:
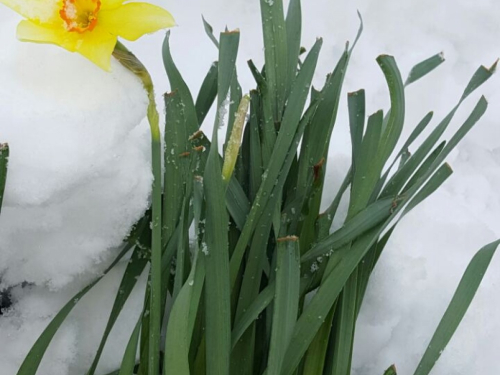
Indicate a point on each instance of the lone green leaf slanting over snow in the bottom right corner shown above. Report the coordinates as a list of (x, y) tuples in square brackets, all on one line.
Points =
[(457, 308)]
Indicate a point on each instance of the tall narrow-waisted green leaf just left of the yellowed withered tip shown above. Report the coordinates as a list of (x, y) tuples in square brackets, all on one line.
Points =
[(217, 290)]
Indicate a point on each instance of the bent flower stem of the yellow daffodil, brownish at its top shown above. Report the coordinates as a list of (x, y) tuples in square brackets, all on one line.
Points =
[(128, 60)]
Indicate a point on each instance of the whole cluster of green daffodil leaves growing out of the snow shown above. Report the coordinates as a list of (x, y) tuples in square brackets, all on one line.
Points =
[(266, 287)]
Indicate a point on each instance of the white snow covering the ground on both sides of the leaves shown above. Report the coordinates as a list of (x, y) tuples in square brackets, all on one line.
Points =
[(53, 103)]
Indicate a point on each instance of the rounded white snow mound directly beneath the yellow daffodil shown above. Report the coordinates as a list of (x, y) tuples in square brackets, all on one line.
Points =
[(79, 174)]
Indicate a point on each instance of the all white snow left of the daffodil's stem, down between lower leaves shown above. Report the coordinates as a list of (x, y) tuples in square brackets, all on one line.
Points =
[(79, 178)]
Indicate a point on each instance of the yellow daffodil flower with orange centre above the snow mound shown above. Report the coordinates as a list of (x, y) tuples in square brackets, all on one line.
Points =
[(88, 27)]
